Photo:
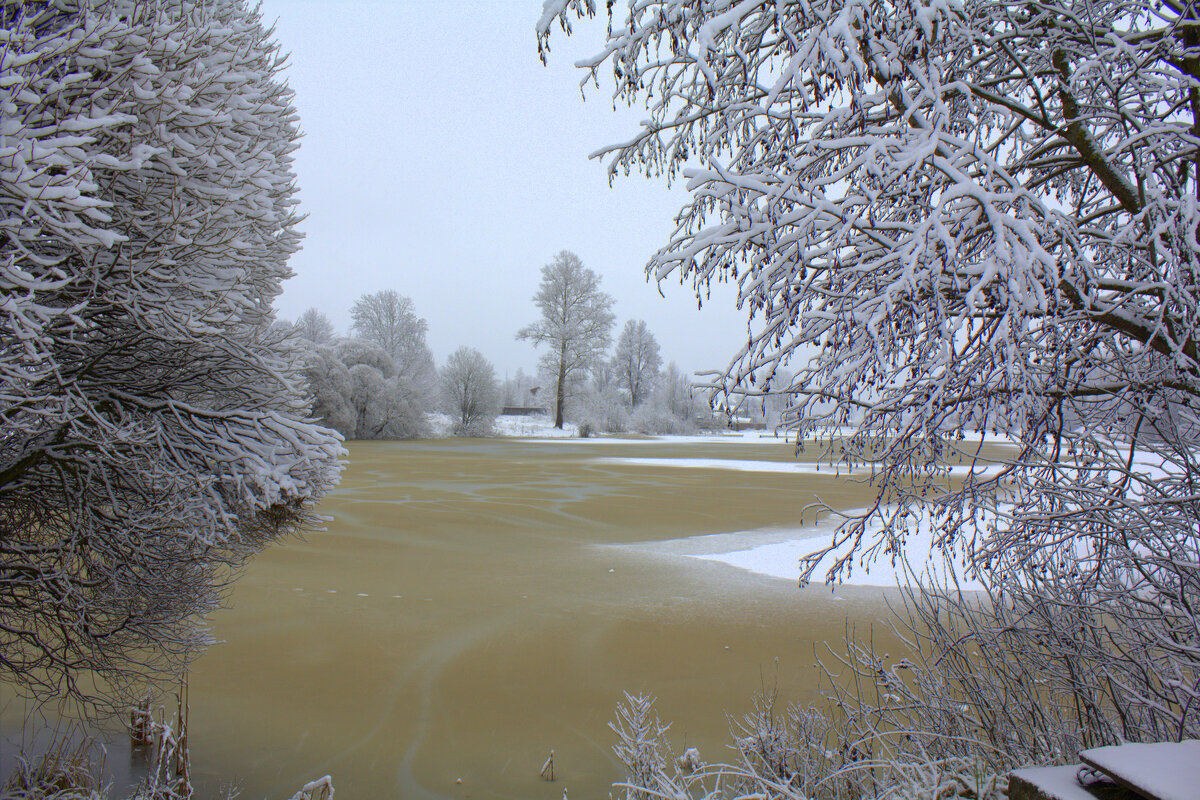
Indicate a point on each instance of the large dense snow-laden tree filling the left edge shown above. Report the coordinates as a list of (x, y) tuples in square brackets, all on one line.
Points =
[(154, 422)]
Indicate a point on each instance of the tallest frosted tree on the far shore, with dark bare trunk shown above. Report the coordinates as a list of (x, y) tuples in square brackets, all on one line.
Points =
[(575, 324)]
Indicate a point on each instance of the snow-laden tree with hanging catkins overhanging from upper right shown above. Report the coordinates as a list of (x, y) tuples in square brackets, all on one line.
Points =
[(974, 216)]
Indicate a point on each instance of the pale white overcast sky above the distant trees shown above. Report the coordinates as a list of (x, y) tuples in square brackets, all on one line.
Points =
[(443, 161)]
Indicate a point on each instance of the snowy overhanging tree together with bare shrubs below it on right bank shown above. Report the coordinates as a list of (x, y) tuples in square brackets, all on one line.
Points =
[(949, 218)]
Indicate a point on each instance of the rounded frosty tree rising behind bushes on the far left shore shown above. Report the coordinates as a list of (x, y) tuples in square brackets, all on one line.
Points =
[(389, 321)]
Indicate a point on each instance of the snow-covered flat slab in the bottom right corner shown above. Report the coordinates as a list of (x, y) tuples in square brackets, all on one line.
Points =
[(1162, 771)]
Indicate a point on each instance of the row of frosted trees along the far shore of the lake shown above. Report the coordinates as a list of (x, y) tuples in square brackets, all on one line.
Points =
[(381, 381)]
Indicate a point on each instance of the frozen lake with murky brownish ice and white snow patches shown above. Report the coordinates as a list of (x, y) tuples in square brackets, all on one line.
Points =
[(476, 604)]
